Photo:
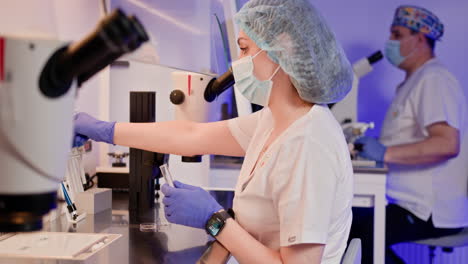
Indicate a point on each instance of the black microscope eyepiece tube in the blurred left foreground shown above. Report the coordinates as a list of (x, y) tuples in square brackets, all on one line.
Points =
[(115, 35)]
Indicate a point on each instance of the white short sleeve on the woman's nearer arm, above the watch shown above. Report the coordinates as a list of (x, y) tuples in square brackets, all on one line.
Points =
[(304, 191)]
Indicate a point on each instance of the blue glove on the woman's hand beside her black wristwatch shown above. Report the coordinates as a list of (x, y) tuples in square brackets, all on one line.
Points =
[(188, 205)]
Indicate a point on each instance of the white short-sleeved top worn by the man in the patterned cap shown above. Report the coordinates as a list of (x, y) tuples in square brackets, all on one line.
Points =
[(430, 95)]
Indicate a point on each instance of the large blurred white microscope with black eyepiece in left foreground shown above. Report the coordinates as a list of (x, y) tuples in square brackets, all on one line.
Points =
[(38, 80)]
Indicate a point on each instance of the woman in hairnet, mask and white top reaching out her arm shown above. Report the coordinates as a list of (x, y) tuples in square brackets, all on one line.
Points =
[(293, 197)]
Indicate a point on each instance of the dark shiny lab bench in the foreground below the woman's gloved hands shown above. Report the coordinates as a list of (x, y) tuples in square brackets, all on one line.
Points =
[(168, 244)]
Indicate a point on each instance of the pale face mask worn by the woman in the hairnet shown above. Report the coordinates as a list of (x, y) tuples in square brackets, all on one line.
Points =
[(256, 91)]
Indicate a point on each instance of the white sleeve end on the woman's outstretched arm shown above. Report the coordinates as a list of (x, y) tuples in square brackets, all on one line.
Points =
[(242, 128)]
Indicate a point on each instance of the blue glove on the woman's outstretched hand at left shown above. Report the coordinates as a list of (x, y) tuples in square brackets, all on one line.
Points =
[(97, 130)]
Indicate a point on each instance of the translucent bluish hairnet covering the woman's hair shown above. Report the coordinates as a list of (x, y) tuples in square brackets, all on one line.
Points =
[(296, 37)]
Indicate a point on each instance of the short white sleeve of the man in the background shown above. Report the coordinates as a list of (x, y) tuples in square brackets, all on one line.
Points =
[(439, 98)]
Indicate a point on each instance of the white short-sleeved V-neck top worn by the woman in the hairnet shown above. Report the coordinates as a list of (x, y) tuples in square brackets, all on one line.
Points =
[(301, 189)]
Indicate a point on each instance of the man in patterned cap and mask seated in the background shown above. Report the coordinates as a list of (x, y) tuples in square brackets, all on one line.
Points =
[(423, 141)]
